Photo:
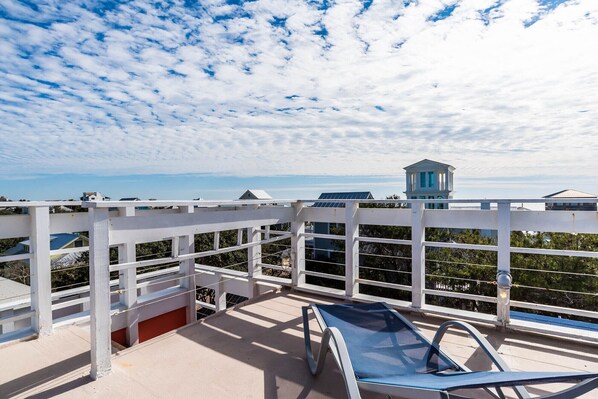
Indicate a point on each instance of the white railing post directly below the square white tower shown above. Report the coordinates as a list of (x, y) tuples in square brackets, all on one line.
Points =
[(418, 255)]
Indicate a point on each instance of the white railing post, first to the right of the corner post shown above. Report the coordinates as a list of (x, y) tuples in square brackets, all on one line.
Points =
[(351, 249)]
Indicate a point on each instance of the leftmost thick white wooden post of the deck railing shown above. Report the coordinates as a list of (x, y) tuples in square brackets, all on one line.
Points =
[(39, 269)]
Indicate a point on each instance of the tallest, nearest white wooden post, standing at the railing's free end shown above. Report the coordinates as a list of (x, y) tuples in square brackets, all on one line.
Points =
[(99, 282)]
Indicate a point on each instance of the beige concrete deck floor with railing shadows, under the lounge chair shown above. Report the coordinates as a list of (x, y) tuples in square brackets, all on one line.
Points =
[(254, 350)]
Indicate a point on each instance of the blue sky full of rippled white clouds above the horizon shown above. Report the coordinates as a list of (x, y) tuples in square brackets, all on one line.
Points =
[(188, 99)]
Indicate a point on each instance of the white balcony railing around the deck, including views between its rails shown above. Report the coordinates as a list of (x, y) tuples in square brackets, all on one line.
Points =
[(126, 289)]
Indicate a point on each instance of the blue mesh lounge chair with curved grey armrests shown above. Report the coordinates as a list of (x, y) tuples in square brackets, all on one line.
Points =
[(379, 350)]
